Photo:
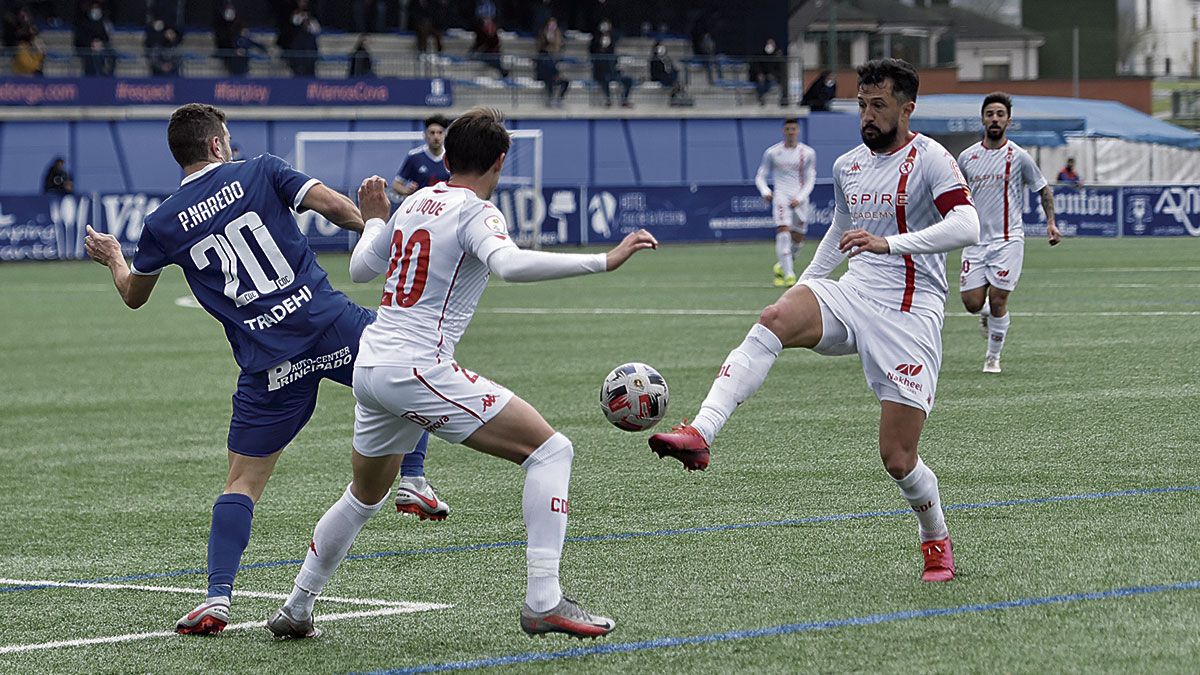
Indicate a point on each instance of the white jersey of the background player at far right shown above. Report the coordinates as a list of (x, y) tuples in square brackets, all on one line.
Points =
[(999, 180)]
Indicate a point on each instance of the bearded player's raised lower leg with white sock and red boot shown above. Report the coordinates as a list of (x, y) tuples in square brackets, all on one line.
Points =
[(794, 321)]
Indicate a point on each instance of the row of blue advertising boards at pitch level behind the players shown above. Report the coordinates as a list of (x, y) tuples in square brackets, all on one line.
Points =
[(46, 229)]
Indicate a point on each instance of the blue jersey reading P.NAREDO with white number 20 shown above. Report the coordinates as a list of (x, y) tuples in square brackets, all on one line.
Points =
[(231, 229)]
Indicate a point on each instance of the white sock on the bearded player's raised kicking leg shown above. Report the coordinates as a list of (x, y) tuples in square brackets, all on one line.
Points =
[(742, 374)]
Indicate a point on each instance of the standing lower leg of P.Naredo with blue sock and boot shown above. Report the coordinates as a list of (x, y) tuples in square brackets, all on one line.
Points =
[(229, 536)]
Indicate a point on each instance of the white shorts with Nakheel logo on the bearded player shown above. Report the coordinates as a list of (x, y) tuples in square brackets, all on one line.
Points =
[(902, 353)]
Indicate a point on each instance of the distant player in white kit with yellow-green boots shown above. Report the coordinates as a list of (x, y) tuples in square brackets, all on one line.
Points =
[(793, 168)]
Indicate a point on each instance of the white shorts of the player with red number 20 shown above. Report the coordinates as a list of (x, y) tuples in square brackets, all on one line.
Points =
[(397, 404)]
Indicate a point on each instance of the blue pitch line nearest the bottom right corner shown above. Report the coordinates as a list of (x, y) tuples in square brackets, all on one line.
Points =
[(791, 629)]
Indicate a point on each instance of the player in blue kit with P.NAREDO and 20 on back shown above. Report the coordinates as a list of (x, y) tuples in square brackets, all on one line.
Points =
[(230, 228)]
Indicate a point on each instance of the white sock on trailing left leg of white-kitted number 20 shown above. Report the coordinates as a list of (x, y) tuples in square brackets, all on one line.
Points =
[(331, 542)]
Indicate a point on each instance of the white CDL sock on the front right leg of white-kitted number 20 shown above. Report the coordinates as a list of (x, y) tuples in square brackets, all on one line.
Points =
[(545, 506)]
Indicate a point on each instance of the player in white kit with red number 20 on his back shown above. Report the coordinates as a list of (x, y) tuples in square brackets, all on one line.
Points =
[(439, 250)]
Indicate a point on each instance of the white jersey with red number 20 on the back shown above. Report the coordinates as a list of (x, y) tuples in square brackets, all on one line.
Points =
[(439, 242)]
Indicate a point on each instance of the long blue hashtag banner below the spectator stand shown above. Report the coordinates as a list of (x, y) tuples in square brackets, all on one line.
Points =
[(219, 92)]
